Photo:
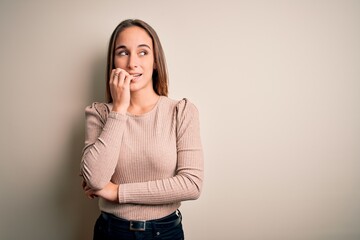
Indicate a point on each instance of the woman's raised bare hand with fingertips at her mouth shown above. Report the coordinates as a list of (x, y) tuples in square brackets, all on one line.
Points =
[(120, 89)]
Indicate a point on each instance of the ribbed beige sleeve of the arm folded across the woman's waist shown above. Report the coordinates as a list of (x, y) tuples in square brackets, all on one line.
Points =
[(186, 184)]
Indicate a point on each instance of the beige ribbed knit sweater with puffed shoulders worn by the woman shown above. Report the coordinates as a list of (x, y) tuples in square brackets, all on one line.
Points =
[(156, 157)]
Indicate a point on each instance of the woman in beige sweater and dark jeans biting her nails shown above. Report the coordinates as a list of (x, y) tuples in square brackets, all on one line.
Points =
[(142, 153)]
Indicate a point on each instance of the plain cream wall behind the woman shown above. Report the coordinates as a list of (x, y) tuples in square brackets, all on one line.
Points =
[(277, 85)]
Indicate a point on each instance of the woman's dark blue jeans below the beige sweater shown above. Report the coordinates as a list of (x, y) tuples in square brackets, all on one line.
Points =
[(109, 227)]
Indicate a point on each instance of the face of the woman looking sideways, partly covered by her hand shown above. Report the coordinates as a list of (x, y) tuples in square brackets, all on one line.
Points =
[(134, 54)]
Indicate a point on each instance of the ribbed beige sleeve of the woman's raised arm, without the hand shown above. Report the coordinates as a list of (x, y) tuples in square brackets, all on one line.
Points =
[(103, 138)]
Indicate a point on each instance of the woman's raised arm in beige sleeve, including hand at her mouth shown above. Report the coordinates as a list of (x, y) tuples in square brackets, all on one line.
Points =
[(103, 134)]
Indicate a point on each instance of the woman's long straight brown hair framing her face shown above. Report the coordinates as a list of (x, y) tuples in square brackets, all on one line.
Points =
[(160, 75)]
